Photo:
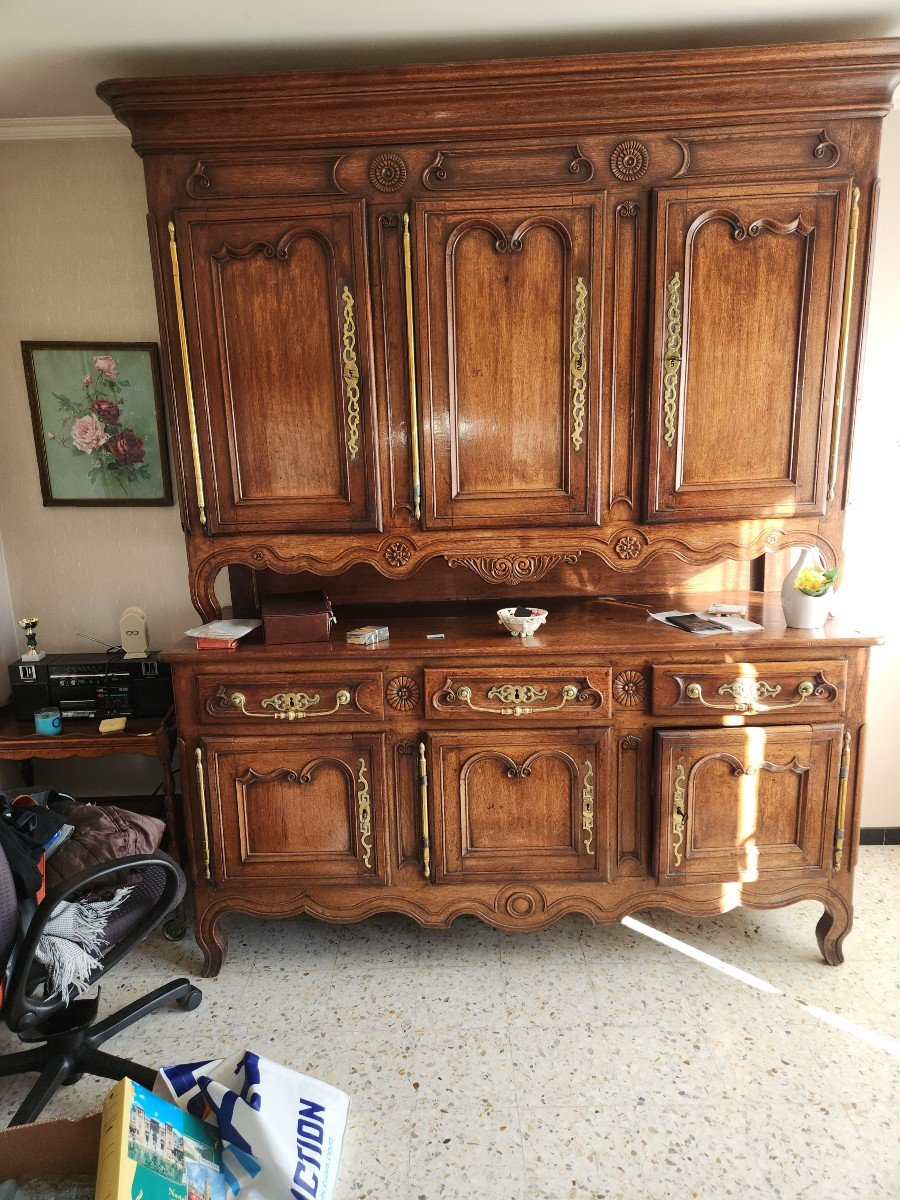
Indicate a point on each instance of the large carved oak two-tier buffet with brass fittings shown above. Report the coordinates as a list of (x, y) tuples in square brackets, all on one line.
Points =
[(571, 328)]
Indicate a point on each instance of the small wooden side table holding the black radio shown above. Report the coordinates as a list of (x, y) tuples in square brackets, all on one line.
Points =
[(153, 737)]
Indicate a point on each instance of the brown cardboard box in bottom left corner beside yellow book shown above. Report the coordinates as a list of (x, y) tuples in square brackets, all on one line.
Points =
[(51, 1149)]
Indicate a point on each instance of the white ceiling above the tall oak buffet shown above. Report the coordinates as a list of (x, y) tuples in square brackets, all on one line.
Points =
[(53, 53)]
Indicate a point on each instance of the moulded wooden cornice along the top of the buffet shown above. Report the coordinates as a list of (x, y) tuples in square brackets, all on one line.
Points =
[(634, 92)]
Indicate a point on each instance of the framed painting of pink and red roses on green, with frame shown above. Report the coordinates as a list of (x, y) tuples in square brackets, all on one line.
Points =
[(100, 431)]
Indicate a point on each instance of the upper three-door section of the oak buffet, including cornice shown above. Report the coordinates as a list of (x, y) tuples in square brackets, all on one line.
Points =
[(577, 310)]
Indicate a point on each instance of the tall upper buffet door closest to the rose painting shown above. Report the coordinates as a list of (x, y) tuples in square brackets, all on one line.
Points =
[(277, 304)]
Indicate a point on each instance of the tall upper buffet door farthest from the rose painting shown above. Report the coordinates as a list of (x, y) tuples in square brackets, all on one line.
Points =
[(747, 320)]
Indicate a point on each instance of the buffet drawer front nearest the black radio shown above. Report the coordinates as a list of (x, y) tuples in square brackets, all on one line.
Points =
[(314, 698)]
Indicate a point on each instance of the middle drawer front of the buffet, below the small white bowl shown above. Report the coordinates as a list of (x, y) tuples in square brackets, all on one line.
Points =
[(519, 697)]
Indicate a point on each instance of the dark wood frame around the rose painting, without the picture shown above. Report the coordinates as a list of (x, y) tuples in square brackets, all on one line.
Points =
[(98, 349)]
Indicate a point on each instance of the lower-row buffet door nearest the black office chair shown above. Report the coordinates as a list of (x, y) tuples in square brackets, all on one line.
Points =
[(307, 808)]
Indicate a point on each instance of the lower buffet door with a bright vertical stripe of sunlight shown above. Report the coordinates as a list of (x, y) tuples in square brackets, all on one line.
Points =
[(745, 805)]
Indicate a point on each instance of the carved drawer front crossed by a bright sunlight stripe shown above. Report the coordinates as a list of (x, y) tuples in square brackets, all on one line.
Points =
[(710, 689)]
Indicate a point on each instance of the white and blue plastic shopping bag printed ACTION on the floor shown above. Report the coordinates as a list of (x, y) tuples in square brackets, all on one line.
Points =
[(281, 1131)]
